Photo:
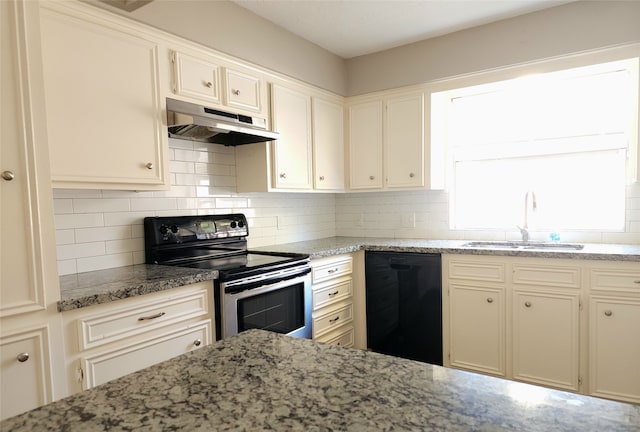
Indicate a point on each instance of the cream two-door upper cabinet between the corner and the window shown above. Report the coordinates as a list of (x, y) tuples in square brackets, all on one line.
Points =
[(387, 141)]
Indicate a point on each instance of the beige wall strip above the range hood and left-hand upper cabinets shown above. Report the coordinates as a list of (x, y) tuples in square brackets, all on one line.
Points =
[(231, 29)]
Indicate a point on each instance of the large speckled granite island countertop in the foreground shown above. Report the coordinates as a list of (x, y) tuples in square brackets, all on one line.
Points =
[(264, 381)]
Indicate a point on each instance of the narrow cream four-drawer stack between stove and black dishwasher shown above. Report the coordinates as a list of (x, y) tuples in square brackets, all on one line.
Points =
[(333, 308)]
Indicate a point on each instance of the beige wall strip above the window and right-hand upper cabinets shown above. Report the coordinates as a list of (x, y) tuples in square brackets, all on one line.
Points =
[(571, 28)]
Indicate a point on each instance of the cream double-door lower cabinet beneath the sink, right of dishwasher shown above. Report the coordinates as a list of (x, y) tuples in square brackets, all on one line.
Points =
[(515, 318)]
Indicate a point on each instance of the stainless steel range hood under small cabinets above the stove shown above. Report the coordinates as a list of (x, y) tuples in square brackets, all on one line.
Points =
[(195, 122)]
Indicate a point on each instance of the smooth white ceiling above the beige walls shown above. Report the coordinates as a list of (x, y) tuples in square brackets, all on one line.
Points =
[(350, 28)]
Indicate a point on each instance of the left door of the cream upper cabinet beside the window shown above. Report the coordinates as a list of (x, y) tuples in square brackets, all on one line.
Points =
[(365, 145)]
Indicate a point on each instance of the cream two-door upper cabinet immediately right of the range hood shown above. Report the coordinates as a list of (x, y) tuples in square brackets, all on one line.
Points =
[(308, 156)]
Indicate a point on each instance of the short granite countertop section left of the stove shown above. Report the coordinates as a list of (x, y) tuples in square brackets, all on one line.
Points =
[(103, 286)]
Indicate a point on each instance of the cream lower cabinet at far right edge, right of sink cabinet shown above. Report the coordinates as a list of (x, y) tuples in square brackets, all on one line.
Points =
[(614, 320)]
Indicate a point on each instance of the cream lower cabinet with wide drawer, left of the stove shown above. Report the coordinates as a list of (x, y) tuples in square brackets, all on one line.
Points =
[(104, 342)]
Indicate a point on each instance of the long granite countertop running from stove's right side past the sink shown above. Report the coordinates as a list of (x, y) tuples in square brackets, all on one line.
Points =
[(338, 245)]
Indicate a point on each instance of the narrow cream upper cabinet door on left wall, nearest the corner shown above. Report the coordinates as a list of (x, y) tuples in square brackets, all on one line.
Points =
[(328, 145)]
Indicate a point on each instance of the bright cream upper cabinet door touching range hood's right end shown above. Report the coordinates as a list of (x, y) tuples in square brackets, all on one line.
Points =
[(292, 150)]
